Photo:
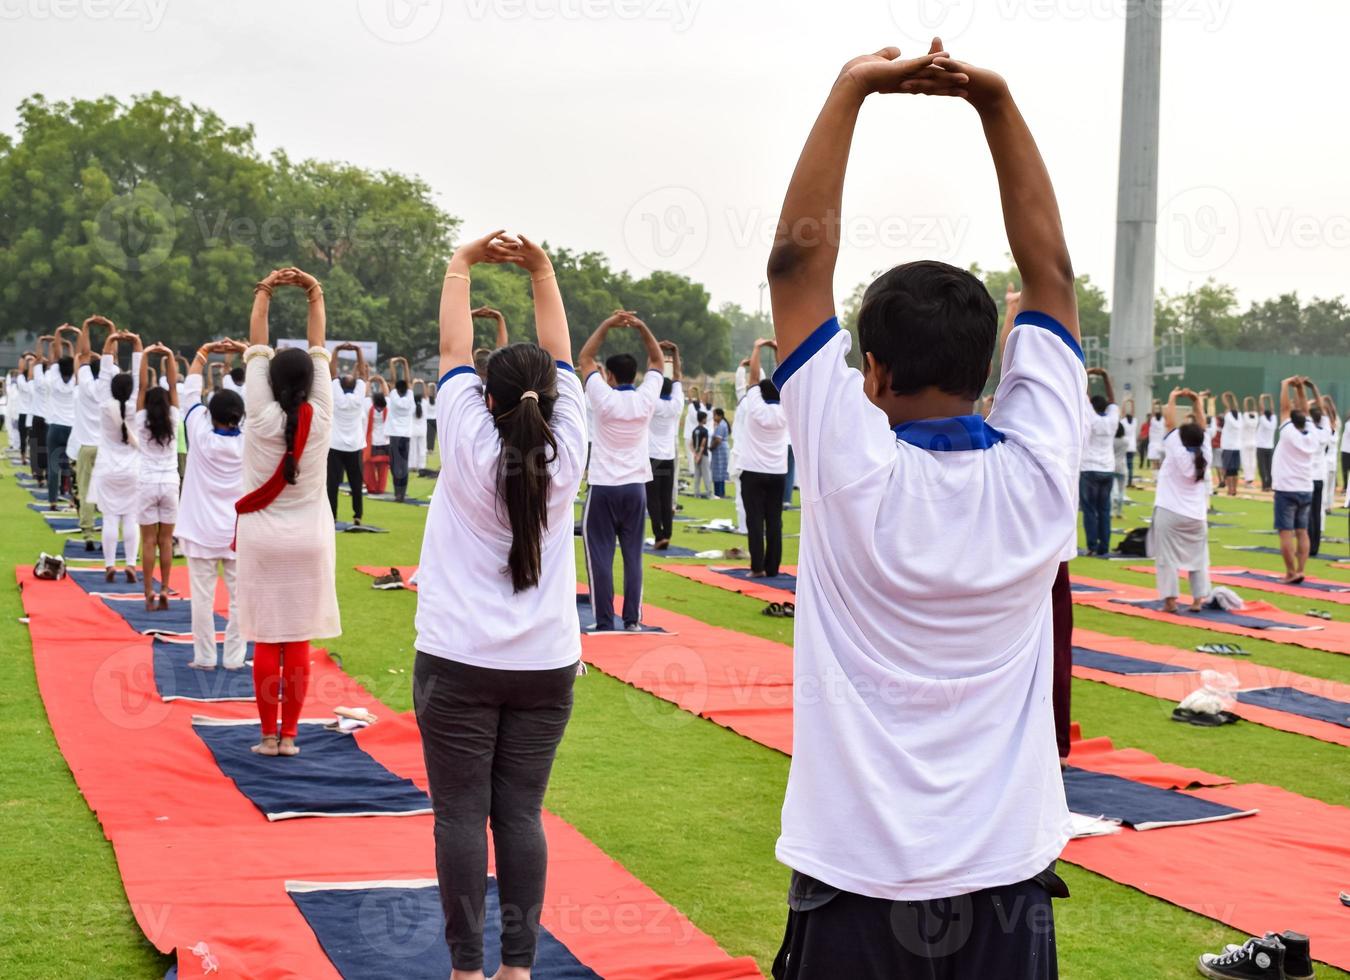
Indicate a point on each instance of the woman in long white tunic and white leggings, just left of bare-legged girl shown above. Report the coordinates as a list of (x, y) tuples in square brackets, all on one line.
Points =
[(117, 469)]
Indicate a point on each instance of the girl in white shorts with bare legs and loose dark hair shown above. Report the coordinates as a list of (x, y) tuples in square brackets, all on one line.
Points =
[(157, 500)]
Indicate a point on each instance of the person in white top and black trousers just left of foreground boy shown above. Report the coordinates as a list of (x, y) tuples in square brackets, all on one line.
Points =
[(763, 458)]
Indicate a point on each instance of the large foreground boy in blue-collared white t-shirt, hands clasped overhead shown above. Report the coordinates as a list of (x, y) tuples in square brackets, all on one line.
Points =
[(925, 784)]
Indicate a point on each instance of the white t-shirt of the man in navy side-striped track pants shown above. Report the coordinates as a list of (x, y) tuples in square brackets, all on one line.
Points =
[(620, 452)]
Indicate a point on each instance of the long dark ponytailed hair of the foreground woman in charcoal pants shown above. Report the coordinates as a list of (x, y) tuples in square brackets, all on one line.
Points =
[(529, 447)]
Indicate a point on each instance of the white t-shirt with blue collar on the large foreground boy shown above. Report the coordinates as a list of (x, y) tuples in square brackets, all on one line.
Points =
[(924, 739)]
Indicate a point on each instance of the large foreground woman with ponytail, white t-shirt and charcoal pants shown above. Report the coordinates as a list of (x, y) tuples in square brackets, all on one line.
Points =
[(499, 638)]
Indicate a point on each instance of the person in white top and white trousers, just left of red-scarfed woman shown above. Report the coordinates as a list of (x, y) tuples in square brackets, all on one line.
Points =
[(207, 511)]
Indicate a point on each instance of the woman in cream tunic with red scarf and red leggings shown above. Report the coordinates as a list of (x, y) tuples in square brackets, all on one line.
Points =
[(286, 537)]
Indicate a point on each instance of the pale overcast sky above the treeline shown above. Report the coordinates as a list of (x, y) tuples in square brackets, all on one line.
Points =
[(664, 132)]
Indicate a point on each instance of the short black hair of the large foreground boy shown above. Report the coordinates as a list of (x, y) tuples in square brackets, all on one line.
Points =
[(931, 325)]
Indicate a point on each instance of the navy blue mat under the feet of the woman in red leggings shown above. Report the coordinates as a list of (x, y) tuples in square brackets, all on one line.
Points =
[(333, 775)]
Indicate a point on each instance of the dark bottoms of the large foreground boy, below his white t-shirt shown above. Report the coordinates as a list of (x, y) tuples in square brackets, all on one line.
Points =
[(1005, 932)]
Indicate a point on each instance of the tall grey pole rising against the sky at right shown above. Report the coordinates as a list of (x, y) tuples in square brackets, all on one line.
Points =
[(1137, 207)]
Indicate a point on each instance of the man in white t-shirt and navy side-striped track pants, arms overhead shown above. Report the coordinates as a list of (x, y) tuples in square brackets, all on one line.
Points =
[(620, 466)]
